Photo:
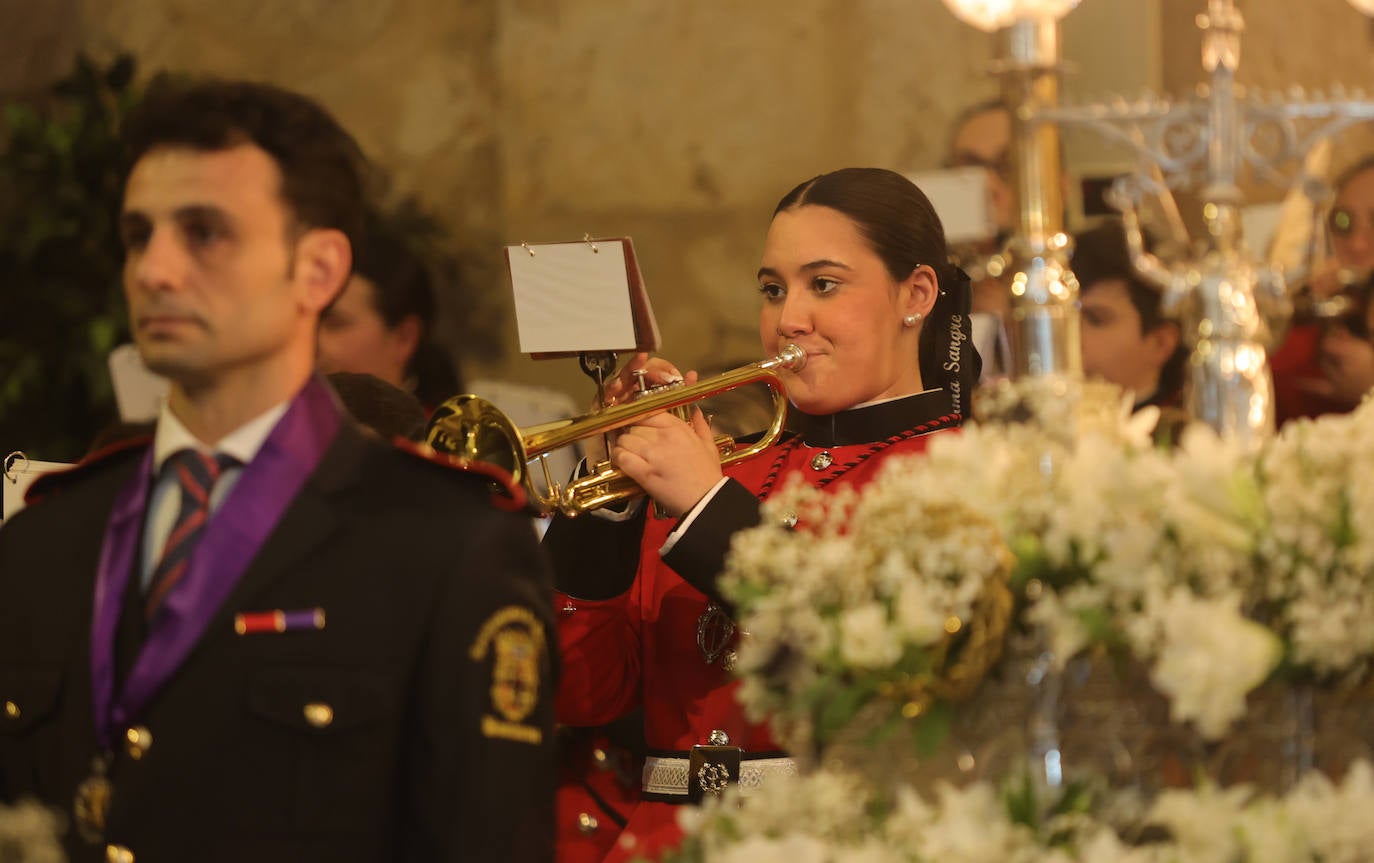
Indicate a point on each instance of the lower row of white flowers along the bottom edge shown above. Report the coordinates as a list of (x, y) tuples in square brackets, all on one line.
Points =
[(833, 817)]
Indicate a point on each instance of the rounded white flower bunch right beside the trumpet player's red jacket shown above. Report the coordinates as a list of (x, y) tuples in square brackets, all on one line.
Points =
[(854, 605)]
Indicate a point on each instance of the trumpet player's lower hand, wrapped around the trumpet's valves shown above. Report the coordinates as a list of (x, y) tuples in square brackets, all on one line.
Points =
[(675, 462)]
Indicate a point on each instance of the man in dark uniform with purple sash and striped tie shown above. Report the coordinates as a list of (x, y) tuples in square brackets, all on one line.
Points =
[(266, 636)]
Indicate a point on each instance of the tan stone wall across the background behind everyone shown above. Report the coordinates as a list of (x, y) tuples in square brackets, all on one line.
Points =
[(678, 123)]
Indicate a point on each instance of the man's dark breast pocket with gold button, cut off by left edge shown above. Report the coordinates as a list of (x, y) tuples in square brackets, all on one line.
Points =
[(28, 711)]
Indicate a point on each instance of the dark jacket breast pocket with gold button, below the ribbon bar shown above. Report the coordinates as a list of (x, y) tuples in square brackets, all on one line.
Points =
[(336, 737)]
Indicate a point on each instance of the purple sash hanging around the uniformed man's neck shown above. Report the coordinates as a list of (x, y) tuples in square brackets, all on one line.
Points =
[(233, 538)]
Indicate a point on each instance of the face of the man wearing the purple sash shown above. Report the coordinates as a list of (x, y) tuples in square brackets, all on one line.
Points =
[(210, 271)]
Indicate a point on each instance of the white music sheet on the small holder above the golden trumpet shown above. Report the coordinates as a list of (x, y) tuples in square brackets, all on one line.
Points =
[(571, 299)]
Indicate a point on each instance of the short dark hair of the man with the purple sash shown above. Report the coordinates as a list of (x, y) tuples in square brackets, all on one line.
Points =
[(324, 170)]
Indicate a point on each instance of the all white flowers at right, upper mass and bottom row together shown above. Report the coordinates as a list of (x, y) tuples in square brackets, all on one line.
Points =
[(1208, 565)]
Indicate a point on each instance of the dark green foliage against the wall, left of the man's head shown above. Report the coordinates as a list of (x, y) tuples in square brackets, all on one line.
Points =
[(61, 183)]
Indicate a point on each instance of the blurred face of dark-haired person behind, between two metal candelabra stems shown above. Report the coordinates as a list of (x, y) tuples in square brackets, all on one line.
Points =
[(1114, 346)]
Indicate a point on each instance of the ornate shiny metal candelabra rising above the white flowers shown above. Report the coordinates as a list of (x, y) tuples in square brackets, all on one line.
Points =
[(1230, 306)]
